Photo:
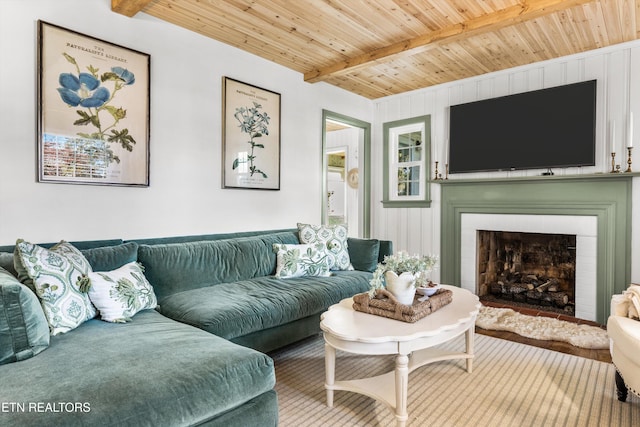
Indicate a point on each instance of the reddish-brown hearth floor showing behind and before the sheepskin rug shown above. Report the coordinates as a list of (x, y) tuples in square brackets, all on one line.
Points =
[(600, 355)]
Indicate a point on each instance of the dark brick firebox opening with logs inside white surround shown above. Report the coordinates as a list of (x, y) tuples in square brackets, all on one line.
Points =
[(532, 270)]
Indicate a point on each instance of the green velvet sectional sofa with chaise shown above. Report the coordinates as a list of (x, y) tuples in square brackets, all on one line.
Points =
[(197, 359)]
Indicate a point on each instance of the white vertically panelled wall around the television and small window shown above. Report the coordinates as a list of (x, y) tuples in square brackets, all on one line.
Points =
[(616, 69)]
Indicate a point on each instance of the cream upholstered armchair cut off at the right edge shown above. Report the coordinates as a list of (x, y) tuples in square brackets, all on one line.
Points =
[(623, 327)]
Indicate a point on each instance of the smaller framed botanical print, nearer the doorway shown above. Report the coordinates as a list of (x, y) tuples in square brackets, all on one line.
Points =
[(250, 136)]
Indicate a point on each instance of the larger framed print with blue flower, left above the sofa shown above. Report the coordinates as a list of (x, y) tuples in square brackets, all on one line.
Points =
[(93, 110)]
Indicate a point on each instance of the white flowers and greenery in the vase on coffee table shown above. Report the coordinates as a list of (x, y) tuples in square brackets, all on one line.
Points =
[(400, 263)]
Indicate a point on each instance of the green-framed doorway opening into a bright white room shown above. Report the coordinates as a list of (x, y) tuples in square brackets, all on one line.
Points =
[(346, 159)]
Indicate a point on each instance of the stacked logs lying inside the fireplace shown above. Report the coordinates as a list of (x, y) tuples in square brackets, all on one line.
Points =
[(531, 289)]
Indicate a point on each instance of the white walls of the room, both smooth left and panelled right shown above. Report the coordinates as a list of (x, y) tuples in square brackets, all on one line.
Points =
[(185, 195)]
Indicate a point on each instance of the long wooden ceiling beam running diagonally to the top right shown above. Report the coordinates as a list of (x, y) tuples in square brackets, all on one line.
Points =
[(524, 11)]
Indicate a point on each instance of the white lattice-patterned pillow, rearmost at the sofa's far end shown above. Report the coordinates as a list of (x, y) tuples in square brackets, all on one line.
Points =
[(333, 238)]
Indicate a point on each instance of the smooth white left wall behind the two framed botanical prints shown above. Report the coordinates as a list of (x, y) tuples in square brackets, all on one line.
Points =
[(185, 195)]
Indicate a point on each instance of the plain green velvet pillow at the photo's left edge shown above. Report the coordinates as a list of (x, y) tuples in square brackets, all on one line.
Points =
[(24, 331)]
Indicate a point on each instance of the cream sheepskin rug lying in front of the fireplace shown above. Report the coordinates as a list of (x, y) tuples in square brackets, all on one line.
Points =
[(542, 328)]
